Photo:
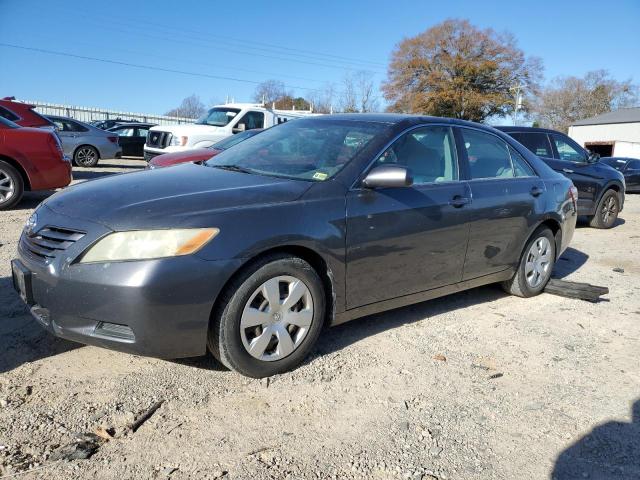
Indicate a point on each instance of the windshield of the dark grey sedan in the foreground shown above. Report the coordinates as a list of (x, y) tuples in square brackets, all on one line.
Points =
[(306, 149)]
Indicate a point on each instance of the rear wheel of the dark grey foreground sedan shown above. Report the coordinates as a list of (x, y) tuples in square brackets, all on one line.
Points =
[(536, 265)]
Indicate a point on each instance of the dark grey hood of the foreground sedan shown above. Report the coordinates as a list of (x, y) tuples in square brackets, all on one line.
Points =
[(182, 196)]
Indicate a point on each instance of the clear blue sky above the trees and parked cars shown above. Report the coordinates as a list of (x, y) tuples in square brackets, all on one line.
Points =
[(303, 43)]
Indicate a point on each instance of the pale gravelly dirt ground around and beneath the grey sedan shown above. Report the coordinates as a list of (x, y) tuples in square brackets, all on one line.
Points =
[(478, 385)]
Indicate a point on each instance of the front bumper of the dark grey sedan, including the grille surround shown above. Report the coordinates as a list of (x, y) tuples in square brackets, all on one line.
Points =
[(159, 308)]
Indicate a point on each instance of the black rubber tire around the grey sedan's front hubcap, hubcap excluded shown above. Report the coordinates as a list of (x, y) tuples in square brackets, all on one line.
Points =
[(224, 338)]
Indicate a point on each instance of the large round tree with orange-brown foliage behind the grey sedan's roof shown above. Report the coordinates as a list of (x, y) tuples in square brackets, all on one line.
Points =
[(455, 69)]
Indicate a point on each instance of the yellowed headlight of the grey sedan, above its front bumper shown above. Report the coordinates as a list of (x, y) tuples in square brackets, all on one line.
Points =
[(146, 244)]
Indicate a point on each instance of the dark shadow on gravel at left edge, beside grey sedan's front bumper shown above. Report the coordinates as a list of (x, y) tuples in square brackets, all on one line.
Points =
[(22, 339)]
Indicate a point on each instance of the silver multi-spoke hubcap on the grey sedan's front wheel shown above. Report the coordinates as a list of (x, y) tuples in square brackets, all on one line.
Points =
[(277, 318)]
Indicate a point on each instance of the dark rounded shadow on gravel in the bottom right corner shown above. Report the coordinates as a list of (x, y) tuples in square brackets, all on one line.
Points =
[(609, 451)]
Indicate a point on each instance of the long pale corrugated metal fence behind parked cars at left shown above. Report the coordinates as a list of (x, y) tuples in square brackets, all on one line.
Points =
[(87, 114)]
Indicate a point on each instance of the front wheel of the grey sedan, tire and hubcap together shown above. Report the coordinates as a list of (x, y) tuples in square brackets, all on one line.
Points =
[(269, 318)]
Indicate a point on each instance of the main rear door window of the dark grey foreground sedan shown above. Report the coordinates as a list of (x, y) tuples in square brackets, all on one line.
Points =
[(488, 155)]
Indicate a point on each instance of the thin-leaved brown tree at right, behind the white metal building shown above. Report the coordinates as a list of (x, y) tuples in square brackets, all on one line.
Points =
[(568, 99)]
